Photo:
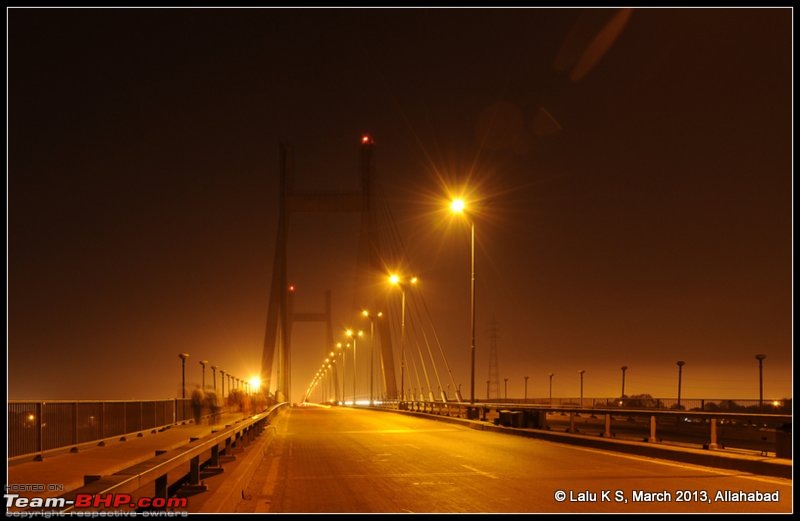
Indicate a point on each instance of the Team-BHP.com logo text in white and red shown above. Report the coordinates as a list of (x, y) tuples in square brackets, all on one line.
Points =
[(94, 501)]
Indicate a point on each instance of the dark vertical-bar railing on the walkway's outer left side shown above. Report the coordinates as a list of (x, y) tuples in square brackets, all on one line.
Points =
[(38, 426)]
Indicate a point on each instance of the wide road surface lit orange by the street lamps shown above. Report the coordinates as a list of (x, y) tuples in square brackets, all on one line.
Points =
[(343, 460)]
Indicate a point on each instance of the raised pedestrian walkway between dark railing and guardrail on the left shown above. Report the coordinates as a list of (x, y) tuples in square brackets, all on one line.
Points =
[(65, 471)]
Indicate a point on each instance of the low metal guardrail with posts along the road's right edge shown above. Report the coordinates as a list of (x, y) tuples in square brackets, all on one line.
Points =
[(768, 433)]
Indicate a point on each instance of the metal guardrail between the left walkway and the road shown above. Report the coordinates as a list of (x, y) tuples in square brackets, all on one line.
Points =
[(157, 469)]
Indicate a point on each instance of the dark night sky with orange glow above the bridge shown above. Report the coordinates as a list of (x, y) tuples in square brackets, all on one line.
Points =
[(633, 170)]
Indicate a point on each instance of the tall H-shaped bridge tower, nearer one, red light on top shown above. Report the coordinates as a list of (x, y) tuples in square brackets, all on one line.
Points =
[(280, 315)]
